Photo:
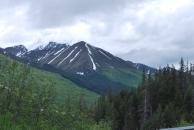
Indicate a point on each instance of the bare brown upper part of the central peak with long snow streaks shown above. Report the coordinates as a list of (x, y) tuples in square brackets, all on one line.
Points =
[(81, 57)]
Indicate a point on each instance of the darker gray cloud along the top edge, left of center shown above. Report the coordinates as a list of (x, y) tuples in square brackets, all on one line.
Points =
[(49, 13)]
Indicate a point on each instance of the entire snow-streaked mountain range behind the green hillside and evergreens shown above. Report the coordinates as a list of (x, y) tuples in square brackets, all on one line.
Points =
[(86, 65)]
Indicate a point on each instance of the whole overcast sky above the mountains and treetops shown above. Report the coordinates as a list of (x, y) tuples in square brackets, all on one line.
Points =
[(153, 32)]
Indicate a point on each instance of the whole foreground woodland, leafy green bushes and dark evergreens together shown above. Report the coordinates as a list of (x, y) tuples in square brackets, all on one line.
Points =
[(165, 99)]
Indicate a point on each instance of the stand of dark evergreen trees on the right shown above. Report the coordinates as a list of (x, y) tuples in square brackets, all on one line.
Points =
[(162, 100)]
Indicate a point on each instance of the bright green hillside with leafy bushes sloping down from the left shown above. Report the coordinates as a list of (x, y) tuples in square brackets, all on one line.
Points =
[(38, 100)]
